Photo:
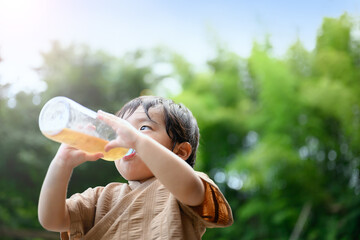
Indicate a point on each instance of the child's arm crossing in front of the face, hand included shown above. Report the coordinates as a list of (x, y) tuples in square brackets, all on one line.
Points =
[(171, 169)]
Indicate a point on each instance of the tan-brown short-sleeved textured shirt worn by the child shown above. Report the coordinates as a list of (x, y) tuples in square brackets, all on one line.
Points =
[(144, 211)]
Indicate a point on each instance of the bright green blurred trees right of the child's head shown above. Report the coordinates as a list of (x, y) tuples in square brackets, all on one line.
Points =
[(296, 123)]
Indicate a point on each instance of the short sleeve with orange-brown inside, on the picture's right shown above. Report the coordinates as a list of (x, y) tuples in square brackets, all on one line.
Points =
[(215, 211)]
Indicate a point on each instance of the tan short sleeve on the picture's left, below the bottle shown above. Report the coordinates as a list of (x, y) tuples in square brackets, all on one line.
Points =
[(82, 208)]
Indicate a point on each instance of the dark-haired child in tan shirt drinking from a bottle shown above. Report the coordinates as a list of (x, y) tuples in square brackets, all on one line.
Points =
[(164, 197)]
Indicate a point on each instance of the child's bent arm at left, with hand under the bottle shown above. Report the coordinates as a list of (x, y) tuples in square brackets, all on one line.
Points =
[(52, 211)]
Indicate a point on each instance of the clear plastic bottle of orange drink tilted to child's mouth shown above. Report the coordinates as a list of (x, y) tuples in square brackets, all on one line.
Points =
[(66, 121)]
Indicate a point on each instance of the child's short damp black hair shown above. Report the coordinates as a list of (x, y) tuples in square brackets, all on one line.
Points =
[(181, 125)]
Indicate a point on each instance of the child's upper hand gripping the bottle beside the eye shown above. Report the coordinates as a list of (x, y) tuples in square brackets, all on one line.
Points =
[(126, 133)]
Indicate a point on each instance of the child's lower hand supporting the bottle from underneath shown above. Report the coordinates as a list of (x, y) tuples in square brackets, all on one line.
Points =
[(71, 157)]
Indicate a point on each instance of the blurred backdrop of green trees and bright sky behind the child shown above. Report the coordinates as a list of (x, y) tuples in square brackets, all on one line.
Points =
[(274, 85)]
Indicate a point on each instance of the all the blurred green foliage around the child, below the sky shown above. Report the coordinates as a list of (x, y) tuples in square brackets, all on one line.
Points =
[(280, 136)]
